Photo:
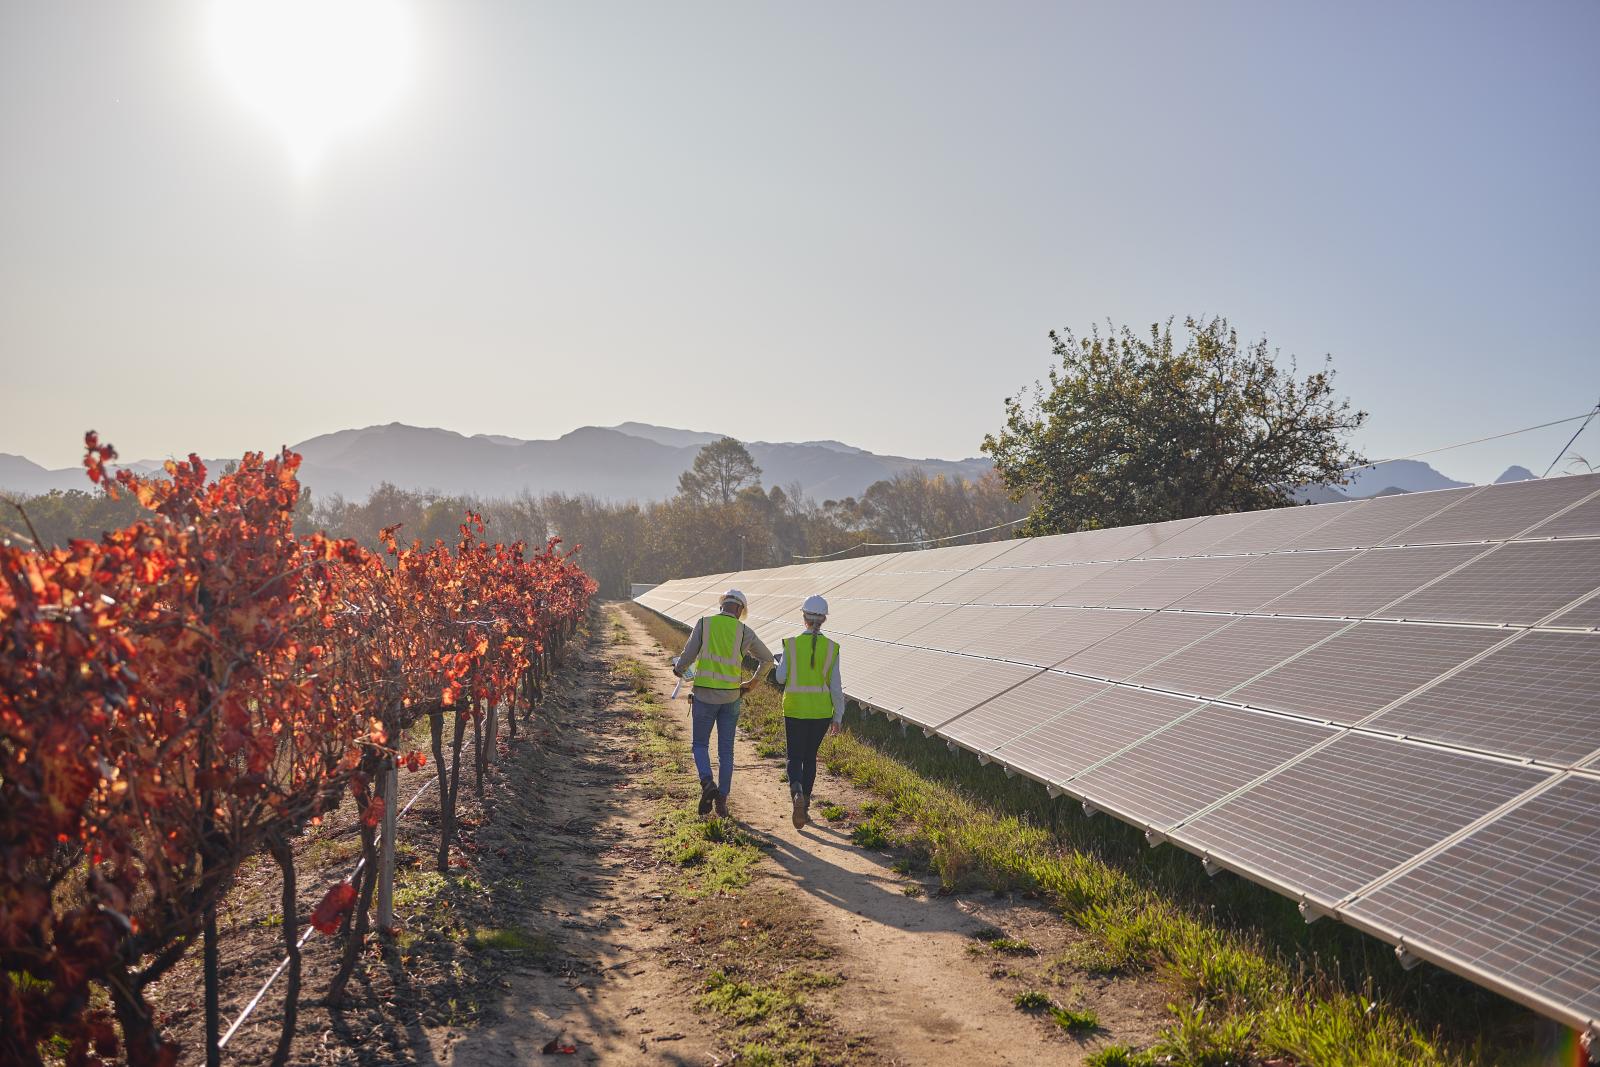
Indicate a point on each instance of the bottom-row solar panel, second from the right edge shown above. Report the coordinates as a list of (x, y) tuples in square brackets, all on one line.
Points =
[(1345, 815)]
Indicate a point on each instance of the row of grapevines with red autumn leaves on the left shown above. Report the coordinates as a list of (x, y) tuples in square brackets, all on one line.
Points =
[(201, 687)]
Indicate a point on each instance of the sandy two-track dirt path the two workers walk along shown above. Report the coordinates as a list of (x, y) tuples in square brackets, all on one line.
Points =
[(918, 988)]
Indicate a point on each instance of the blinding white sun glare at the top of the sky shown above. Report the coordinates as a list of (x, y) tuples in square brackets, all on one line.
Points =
[(314, 70)]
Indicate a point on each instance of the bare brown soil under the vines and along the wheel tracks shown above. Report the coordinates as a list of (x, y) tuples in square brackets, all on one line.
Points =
[(558, 927)]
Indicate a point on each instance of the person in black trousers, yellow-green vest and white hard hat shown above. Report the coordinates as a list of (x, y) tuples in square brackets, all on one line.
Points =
[(814, 701)]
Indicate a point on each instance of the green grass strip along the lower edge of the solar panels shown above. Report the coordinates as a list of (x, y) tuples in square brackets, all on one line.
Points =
[(1266, 983)]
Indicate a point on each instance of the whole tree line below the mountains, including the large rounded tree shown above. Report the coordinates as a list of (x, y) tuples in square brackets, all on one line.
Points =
[(1129, 426)]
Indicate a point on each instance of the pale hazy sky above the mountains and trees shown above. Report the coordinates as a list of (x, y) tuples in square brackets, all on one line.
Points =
[(786, 222)]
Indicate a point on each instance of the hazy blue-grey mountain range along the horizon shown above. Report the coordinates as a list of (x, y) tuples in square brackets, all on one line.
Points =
[(630, 462)]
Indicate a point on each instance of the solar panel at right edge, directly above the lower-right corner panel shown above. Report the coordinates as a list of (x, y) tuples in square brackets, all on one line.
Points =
[(1534, 698)]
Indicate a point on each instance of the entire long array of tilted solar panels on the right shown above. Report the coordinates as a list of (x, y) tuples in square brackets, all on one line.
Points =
[(1386, 709)]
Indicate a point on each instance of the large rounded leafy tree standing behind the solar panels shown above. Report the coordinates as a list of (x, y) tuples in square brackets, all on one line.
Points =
[(1134, 430)]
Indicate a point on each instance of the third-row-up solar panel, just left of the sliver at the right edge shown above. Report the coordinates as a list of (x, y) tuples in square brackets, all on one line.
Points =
[(1518, 583)]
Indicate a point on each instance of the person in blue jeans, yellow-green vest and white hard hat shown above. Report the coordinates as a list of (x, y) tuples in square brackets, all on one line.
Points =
[(716, 652)]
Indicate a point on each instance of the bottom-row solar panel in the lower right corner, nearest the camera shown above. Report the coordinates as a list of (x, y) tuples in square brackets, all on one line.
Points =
[(1518, 900)]
